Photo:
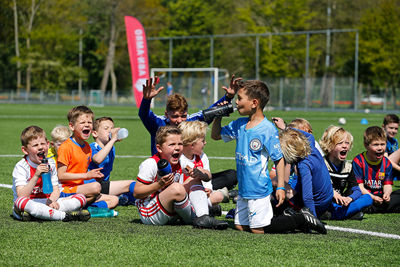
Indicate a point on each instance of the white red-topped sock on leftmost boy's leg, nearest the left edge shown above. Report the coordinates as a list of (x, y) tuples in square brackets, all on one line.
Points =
[(38, 210)]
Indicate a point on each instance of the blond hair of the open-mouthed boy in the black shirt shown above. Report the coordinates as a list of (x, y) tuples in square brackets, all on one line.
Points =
[(332, 136)]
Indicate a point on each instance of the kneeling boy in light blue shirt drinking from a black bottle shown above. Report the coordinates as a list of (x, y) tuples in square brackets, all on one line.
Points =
[(256, 141)]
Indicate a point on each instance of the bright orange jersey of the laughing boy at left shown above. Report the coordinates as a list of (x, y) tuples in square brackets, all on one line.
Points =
[(76, 158)]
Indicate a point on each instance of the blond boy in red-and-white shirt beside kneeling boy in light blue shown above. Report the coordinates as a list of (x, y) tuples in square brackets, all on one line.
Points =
[(195, 161)]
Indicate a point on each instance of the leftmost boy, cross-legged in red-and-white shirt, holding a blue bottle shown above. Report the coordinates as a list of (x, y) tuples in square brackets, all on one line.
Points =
[(29, 198)]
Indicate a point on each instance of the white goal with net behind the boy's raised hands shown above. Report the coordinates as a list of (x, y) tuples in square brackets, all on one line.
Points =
[(193, 83)]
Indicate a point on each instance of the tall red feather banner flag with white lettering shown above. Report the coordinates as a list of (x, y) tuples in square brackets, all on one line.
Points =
[(137, 47)]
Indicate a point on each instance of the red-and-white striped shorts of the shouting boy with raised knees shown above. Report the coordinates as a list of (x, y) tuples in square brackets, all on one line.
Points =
[(152, 212)]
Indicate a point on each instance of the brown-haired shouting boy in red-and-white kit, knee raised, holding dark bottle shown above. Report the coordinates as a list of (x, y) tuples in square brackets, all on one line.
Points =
[(160, 199)]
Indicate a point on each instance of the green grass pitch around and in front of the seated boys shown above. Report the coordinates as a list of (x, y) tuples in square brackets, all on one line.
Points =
[(125, 241)]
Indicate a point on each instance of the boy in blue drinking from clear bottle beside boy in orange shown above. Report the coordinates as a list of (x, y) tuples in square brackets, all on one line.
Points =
[(103, 155)]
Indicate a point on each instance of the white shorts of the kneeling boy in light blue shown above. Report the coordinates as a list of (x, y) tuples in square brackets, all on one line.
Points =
[(255, 213)]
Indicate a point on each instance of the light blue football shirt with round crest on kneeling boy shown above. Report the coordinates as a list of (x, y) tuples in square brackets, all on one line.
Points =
[(254, 147)]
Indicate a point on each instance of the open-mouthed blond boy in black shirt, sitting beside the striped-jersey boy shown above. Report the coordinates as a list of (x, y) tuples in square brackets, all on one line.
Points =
[(348, 201)]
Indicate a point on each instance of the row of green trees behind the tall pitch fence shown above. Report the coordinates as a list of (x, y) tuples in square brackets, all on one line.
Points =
[(42, 40)]
